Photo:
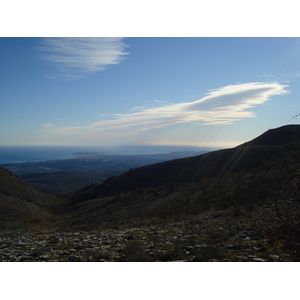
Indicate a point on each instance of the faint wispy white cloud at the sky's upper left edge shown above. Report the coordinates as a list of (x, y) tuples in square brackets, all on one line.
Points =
[(79, 57)]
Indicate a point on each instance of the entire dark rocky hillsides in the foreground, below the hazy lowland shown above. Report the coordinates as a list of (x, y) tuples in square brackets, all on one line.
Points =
[(236, 205)]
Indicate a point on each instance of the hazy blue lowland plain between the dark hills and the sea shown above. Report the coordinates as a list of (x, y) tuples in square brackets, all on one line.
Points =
[(65, 176)]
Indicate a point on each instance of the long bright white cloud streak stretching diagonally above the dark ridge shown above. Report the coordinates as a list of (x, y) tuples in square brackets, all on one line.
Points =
[(222, 106)]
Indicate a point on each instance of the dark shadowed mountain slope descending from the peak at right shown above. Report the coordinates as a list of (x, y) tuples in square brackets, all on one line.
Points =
[(273, 144)]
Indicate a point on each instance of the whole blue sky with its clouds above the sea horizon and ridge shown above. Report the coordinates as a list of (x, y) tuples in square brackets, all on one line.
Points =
[(216, 92)]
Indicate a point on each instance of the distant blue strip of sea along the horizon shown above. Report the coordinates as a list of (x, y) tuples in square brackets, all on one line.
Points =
[(20, 154)]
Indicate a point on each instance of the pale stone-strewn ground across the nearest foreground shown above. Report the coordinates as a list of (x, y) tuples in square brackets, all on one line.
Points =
[(209, 237)]
